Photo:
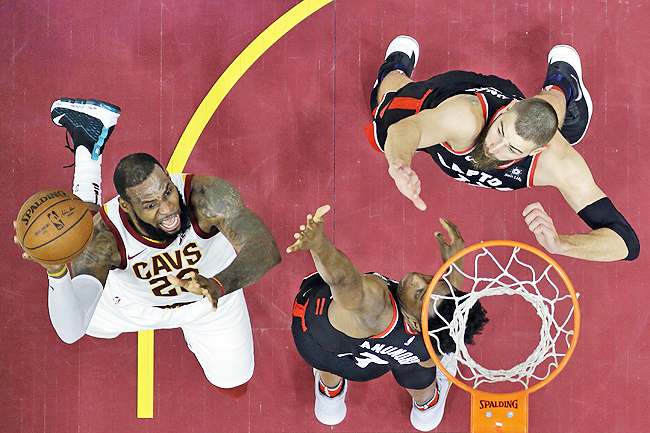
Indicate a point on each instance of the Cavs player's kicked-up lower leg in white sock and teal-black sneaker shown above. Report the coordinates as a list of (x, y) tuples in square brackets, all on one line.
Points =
[(90, 124)]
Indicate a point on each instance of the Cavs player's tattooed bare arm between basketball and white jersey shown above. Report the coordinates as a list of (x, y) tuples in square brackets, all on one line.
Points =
[(100, 255)]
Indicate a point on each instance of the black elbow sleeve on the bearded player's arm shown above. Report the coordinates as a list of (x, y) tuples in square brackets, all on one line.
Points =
[(602, 214)]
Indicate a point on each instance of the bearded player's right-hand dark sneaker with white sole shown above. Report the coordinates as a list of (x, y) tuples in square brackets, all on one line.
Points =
[(564, 61)]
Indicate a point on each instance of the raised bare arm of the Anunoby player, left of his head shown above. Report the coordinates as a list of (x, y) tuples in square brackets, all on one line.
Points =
[(365, 296)]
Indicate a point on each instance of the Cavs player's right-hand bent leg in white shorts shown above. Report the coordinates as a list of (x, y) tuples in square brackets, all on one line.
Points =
[(223, 343)]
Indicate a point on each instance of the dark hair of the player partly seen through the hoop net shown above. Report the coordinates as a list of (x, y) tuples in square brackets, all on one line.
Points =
[(476, 320)]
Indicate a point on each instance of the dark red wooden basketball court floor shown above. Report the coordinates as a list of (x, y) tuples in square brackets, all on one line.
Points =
[(289, 136)]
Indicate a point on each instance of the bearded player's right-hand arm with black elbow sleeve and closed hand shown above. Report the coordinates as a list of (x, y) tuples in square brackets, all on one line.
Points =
[(563, 167)]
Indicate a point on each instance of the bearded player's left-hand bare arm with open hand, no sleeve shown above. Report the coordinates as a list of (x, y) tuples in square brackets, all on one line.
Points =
[(456, 121)]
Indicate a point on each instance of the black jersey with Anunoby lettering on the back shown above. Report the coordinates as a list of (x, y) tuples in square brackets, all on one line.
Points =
[(398, 345)]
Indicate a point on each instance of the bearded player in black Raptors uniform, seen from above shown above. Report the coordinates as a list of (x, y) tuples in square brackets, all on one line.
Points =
[(480, 130)]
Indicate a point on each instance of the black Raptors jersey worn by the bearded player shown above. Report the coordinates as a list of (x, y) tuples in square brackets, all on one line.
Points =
[(493, 92)]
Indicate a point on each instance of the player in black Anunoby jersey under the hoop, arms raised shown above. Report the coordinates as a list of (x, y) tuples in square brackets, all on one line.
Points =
[(354, 326)]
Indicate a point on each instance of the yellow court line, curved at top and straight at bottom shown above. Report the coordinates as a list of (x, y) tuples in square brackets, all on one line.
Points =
[(187, 142)]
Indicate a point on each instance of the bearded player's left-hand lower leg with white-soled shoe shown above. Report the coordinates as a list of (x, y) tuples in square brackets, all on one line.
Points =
[(396, 71)]
